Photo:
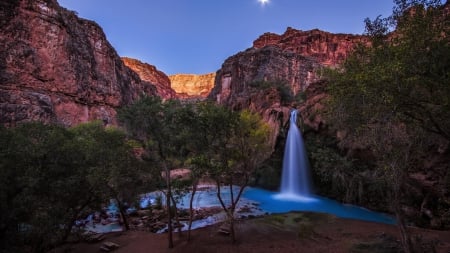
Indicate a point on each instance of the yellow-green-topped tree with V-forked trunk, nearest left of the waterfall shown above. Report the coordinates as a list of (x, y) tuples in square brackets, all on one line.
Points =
[(241, 152)]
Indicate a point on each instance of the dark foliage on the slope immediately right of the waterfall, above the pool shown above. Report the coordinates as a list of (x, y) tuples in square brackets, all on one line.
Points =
[(342, 178)]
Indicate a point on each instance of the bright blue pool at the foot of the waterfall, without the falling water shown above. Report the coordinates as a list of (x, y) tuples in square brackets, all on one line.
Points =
[(271, 203)]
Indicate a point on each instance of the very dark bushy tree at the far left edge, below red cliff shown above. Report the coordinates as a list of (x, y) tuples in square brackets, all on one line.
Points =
[(50, 189)]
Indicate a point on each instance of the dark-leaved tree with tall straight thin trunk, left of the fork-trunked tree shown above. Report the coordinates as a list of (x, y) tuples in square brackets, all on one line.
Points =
[(157, 125)]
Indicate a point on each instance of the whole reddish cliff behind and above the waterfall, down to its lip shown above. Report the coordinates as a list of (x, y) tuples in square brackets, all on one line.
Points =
[(294, 59)]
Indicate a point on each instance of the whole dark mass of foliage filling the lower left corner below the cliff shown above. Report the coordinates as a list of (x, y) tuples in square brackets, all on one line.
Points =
[(53, 176)]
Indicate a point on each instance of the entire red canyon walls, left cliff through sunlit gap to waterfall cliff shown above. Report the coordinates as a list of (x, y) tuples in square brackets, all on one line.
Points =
[(58, 68)]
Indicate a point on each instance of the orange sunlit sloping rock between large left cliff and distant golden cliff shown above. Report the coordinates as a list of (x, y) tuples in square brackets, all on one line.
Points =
[(151, 74)]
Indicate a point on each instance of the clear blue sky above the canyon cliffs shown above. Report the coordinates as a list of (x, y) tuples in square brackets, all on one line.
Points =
[(196, 36)]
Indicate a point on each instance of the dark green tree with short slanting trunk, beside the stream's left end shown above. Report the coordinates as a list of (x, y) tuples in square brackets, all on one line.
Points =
[(115, 172)]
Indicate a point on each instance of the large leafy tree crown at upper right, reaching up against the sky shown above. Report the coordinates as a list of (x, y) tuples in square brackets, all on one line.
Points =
[(403, 77)]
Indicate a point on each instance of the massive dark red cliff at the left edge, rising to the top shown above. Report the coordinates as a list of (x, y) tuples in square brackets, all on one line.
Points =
[(56, 67)]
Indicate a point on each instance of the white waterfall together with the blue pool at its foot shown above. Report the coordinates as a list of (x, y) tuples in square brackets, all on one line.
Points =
[(296, 188)]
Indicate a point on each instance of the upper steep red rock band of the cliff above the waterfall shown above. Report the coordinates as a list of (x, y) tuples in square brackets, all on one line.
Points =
[(295, 58)]
